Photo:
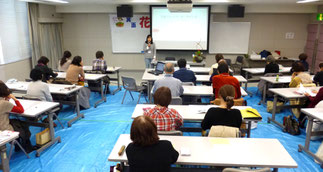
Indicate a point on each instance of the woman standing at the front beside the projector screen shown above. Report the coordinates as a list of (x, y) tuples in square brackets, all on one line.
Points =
[(149, 51)]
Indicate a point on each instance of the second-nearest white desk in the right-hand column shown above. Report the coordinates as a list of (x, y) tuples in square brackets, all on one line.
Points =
[(286, 93)]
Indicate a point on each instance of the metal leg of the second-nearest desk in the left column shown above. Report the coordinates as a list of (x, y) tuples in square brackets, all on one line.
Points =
[(52, 135)]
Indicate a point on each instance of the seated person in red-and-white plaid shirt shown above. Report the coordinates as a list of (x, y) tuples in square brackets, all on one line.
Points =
[(165, 118)]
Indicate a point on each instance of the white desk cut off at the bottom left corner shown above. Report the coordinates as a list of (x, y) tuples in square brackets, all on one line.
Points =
[(4, 139)]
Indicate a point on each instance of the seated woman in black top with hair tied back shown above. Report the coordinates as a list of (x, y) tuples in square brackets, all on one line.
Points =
[(223, 115)]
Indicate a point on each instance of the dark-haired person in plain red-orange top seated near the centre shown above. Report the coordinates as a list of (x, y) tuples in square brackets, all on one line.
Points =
[(225, 79)]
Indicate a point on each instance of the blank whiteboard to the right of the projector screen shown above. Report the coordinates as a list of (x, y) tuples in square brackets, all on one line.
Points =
[(229, 37)]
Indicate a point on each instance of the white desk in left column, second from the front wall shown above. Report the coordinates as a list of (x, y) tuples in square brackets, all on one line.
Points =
[(91, 77)]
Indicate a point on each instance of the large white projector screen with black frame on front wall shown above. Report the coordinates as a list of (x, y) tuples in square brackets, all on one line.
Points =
[(180, 30)]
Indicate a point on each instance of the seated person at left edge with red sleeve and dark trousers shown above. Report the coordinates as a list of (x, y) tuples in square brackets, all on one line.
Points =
[(13, 124)]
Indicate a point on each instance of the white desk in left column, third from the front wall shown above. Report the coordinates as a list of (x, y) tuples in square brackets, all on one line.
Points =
[(59, 89)]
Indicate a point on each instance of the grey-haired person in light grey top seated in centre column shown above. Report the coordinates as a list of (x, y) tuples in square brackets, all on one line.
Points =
[(174, 84)]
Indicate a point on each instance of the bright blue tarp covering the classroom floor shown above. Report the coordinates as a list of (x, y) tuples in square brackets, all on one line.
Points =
[(87, 144)]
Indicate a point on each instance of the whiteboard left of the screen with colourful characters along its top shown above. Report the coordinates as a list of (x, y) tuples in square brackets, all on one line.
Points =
[(128, 34)]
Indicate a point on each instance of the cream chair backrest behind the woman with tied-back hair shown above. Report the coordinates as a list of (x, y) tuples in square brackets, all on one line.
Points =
[(224, 131)]
